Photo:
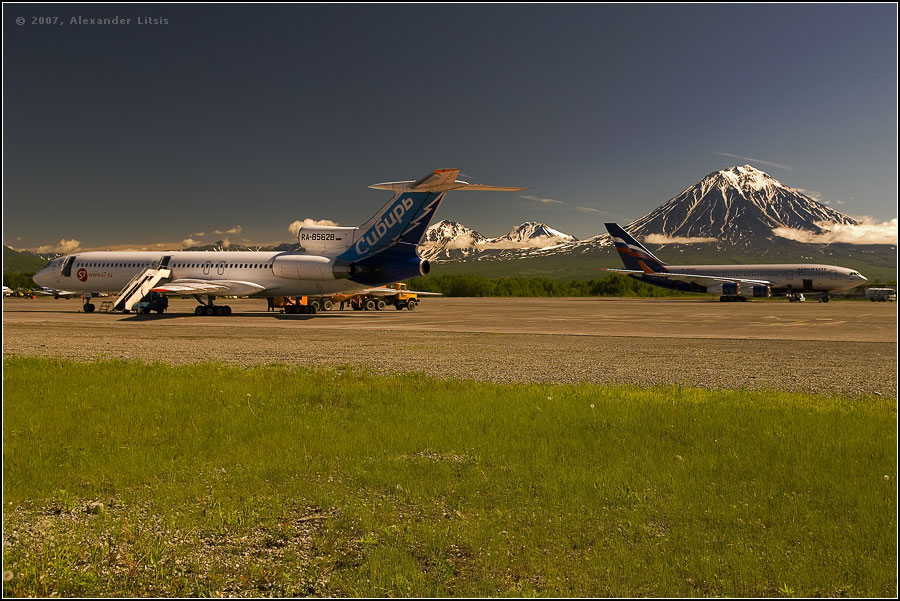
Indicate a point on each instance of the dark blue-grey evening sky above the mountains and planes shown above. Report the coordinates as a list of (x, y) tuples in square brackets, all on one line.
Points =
[(216, 116)]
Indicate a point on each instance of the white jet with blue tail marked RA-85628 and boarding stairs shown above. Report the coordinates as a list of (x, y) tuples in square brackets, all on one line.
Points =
[(331, 260)]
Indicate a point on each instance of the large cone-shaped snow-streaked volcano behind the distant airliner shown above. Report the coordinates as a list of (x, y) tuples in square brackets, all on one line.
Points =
[(738, 205)]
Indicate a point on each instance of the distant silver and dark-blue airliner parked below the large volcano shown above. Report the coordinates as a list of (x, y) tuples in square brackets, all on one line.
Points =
[(731, 282)]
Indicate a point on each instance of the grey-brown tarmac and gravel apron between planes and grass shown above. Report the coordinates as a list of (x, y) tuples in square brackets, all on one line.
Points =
[(838, 347)]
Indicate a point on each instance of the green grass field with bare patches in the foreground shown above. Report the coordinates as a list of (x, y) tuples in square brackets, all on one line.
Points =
[(124, 478)]
